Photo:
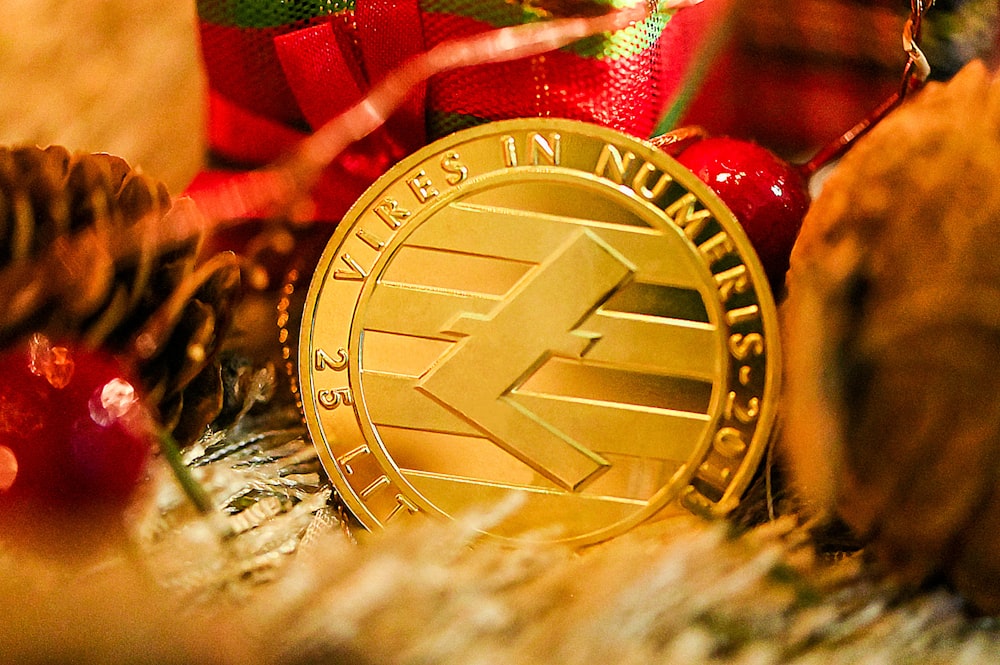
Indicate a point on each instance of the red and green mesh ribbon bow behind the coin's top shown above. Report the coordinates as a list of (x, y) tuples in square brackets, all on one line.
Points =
[(275, 77)]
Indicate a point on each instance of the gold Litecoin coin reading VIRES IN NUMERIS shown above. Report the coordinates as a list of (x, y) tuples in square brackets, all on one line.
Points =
[(543, 310)]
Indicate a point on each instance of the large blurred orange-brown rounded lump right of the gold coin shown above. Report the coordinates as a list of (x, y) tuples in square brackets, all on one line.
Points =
[(893, 340)]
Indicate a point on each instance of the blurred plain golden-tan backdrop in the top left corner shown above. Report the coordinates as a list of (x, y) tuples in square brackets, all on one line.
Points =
[(119, 76)]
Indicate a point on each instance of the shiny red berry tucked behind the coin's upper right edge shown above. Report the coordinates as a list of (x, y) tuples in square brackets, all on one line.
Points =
[(768, 196)]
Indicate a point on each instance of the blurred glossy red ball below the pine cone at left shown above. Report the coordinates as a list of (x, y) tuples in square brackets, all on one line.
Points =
[(72, 437)]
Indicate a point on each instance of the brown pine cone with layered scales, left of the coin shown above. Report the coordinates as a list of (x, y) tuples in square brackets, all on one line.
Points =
[(78, 262)]
